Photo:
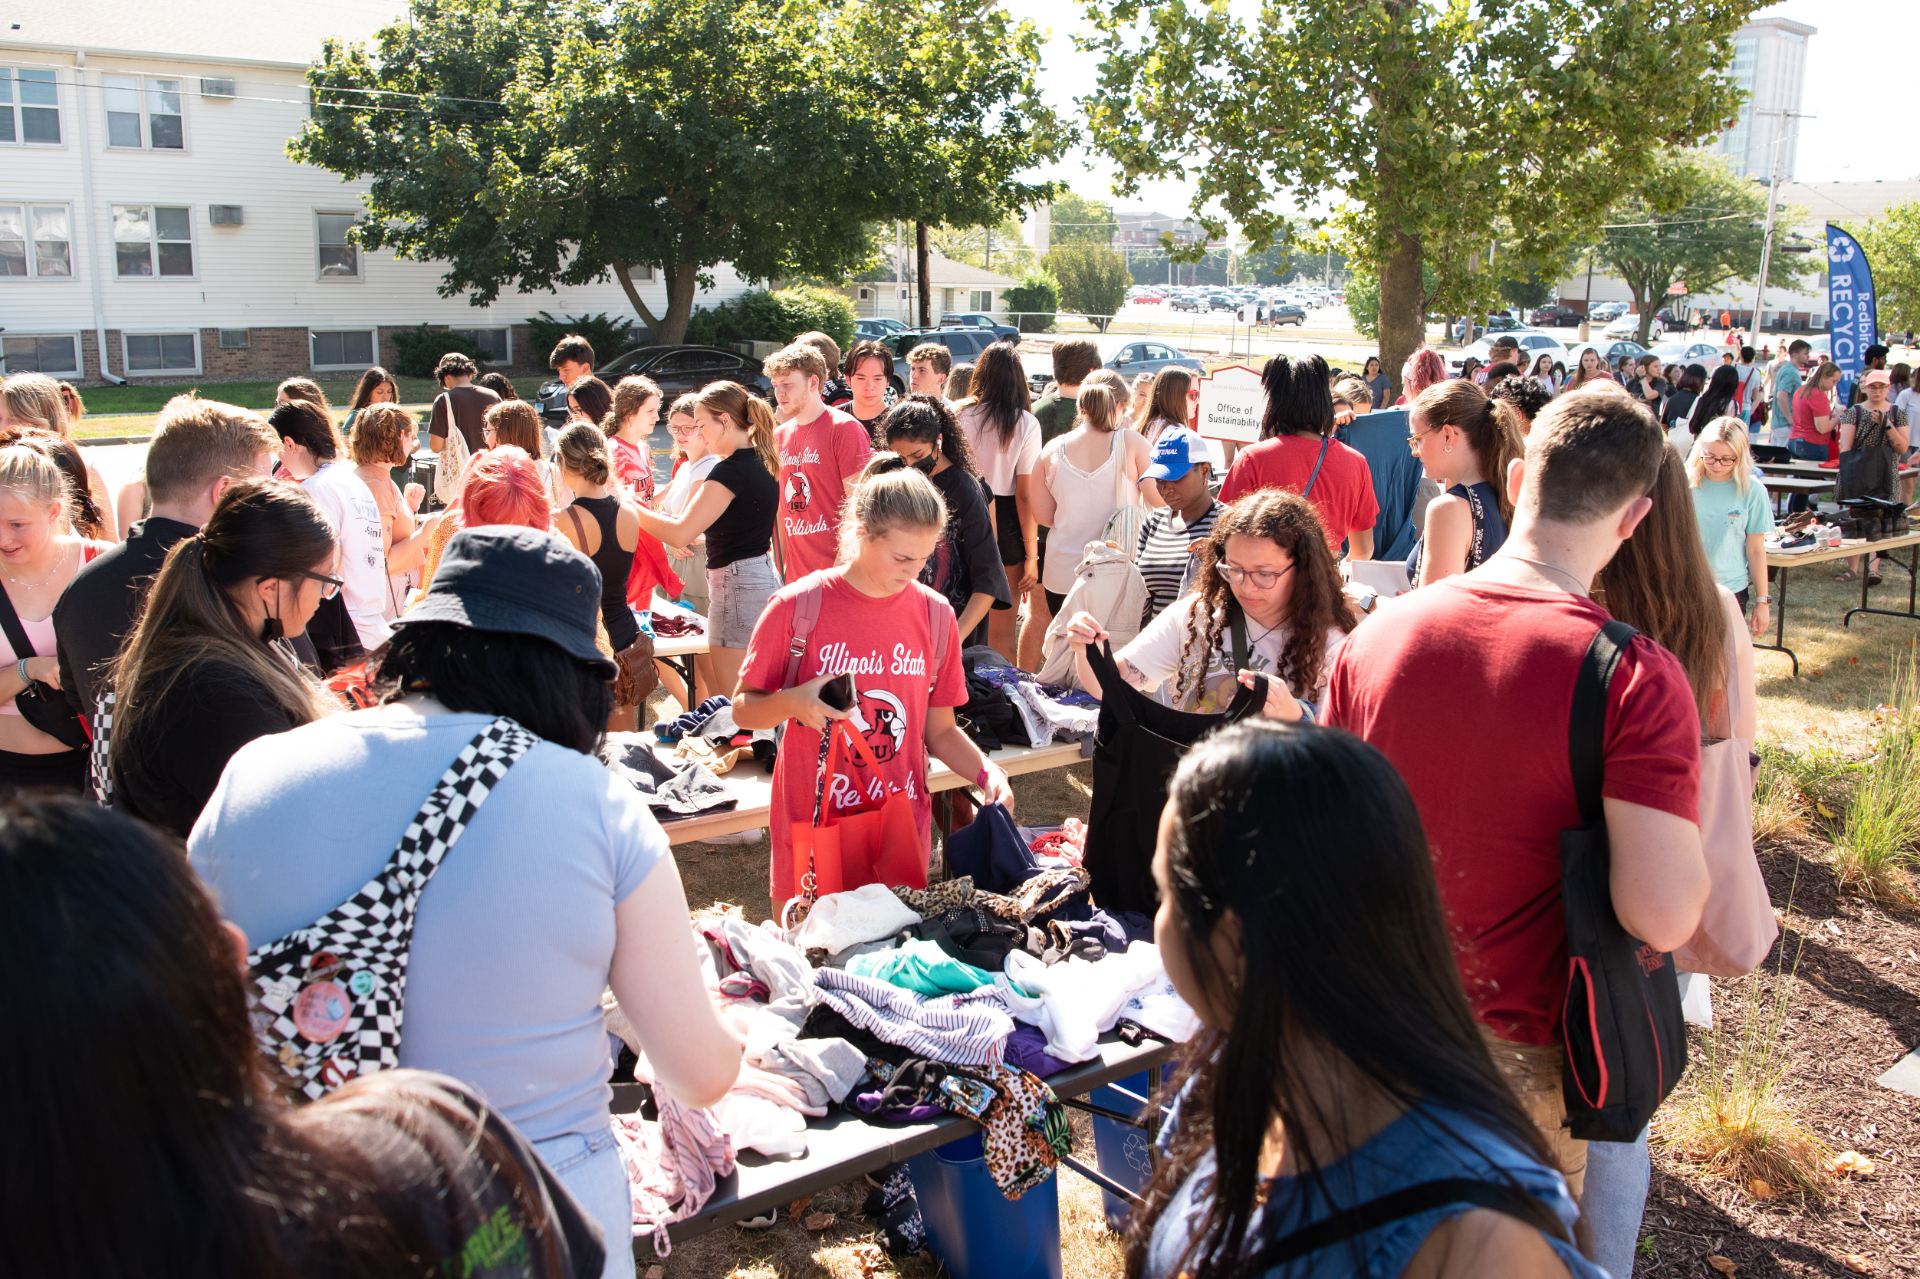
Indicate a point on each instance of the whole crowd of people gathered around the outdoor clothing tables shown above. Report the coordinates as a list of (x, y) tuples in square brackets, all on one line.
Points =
[(277, 658)]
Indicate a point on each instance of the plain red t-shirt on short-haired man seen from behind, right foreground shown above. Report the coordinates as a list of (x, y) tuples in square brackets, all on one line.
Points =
[(1468, 688)]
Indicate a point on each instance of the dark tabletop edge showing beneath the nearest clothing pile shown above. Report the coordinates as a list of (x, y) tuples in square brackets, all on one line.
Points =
[(842, 1146)]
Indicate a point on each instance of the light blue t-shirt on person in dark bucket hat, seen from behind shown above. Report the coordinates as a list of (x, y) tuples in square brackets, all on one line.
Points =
[(516, 930)]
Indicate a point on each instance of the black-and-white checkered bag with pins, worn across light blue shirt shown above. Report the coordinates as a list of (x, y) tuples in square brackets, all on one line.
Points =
[(333, 994)]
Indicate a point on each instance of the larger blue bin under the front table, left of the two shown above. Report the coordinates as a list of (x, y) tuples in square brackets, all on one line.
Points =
[(978, 1232)]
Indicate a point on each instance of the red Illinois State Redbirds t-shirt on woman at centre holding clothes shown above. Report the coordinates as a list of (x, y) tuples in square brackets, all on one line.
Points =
[(888, 648)]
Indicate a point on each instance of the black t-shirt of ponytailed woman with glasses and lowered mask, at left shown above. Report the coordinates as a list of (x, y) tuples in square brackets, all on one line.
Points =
[(204, 717)]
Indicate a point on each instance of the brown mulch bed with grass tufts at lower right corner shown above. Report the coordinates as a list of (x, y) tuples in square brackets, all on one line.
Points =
[(1854, 1013)]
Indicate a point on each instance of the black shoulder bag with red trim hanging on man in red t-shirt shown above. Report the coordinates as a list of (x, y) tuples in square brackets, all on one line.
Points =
[(1621, 1021)]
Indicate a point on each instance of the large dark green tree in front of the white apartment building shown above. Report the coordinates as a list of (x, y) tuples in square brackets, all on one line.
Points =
[(546, 143)]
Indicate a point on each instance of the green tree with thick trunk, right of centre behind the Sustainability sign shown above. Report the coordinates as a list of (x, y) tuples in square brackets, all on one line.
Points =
[(1429, 126)]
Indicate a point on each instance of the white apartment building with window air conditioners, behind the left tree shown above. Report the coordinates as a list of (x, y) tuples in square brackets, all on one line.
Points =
[(153, 226)]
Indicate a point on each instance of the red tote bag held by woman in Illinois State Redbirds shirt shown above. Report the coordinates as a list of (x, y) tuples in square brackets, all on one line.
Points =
[(842, 852)]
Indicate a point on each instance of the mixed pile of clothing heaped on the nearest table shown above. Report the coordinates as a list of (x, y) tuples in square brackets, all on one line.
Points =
[(903, 1005)]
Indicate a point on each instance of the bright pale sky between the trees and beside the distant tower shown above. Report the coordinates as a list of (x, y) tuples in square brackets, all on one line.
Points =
[(1861, 107)]
